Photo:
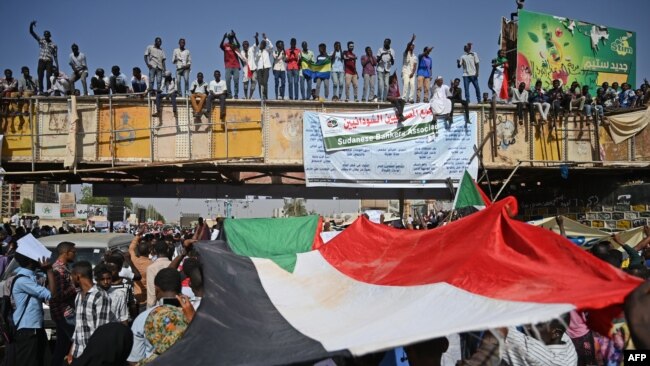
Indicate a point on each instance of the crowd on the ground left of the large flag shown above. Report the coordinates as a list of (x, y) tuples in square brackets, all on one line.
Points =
[(128, 299)]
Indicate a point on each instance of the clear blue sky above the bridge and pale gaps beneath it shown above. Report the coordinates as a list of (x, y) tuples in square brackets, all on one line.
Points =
[(117, 32)]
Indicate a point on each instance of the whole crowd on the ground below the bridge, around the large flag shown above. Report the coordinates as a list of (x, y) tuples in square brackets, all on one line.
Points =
[(135, 304)]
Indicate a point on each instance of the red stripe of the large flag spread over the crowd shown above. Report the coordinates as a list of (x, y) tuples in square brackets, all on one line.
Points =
[(486, 253)]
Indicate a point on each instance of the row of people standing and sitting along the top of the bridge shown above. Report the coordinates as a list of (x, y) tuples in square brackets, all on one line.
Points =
[(253, 63)]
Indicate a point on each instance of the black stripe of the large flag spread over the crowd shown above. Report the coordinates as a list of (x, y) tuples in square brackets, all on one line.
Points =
[(237, 324)]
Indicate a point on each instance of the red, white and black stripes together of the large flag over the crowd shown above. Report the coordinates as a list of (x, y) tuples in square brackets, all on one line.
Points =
[(374, 288)]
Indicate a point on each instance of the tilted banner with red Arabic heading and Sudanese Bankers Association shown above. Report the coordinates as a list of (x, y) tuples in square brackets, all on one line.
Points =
[(347, 130)]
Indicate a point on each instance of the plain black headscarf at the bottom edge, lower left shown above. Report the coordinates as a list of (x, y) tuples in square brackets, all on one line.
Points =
[(110, 345)]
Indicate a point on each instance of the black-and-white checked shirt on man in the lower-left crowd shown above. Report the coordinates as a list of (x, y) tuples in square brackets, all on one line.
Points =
[(93, 310)]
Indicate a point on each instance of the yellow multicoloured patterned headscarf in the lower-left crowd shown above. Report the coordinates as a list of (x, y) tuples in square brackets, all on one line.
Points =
[(164, 326)]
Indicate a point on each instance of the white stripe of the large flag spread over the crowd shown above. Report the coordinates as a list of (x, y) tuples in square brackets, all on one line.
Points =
[(343, 313)]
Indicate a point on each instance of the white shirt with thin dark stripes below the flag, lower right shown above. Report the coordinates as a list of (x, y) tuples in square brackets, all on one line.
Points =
[(522, 350)]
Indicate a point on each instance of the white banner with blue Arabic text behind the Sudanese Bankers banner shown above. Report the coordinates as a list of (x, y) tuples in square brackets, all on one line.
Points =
[(423, 162)]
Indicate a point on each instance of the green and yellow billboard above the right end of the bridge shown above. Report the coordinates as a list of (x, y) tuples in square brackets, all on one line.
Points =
[(551, 47)]
